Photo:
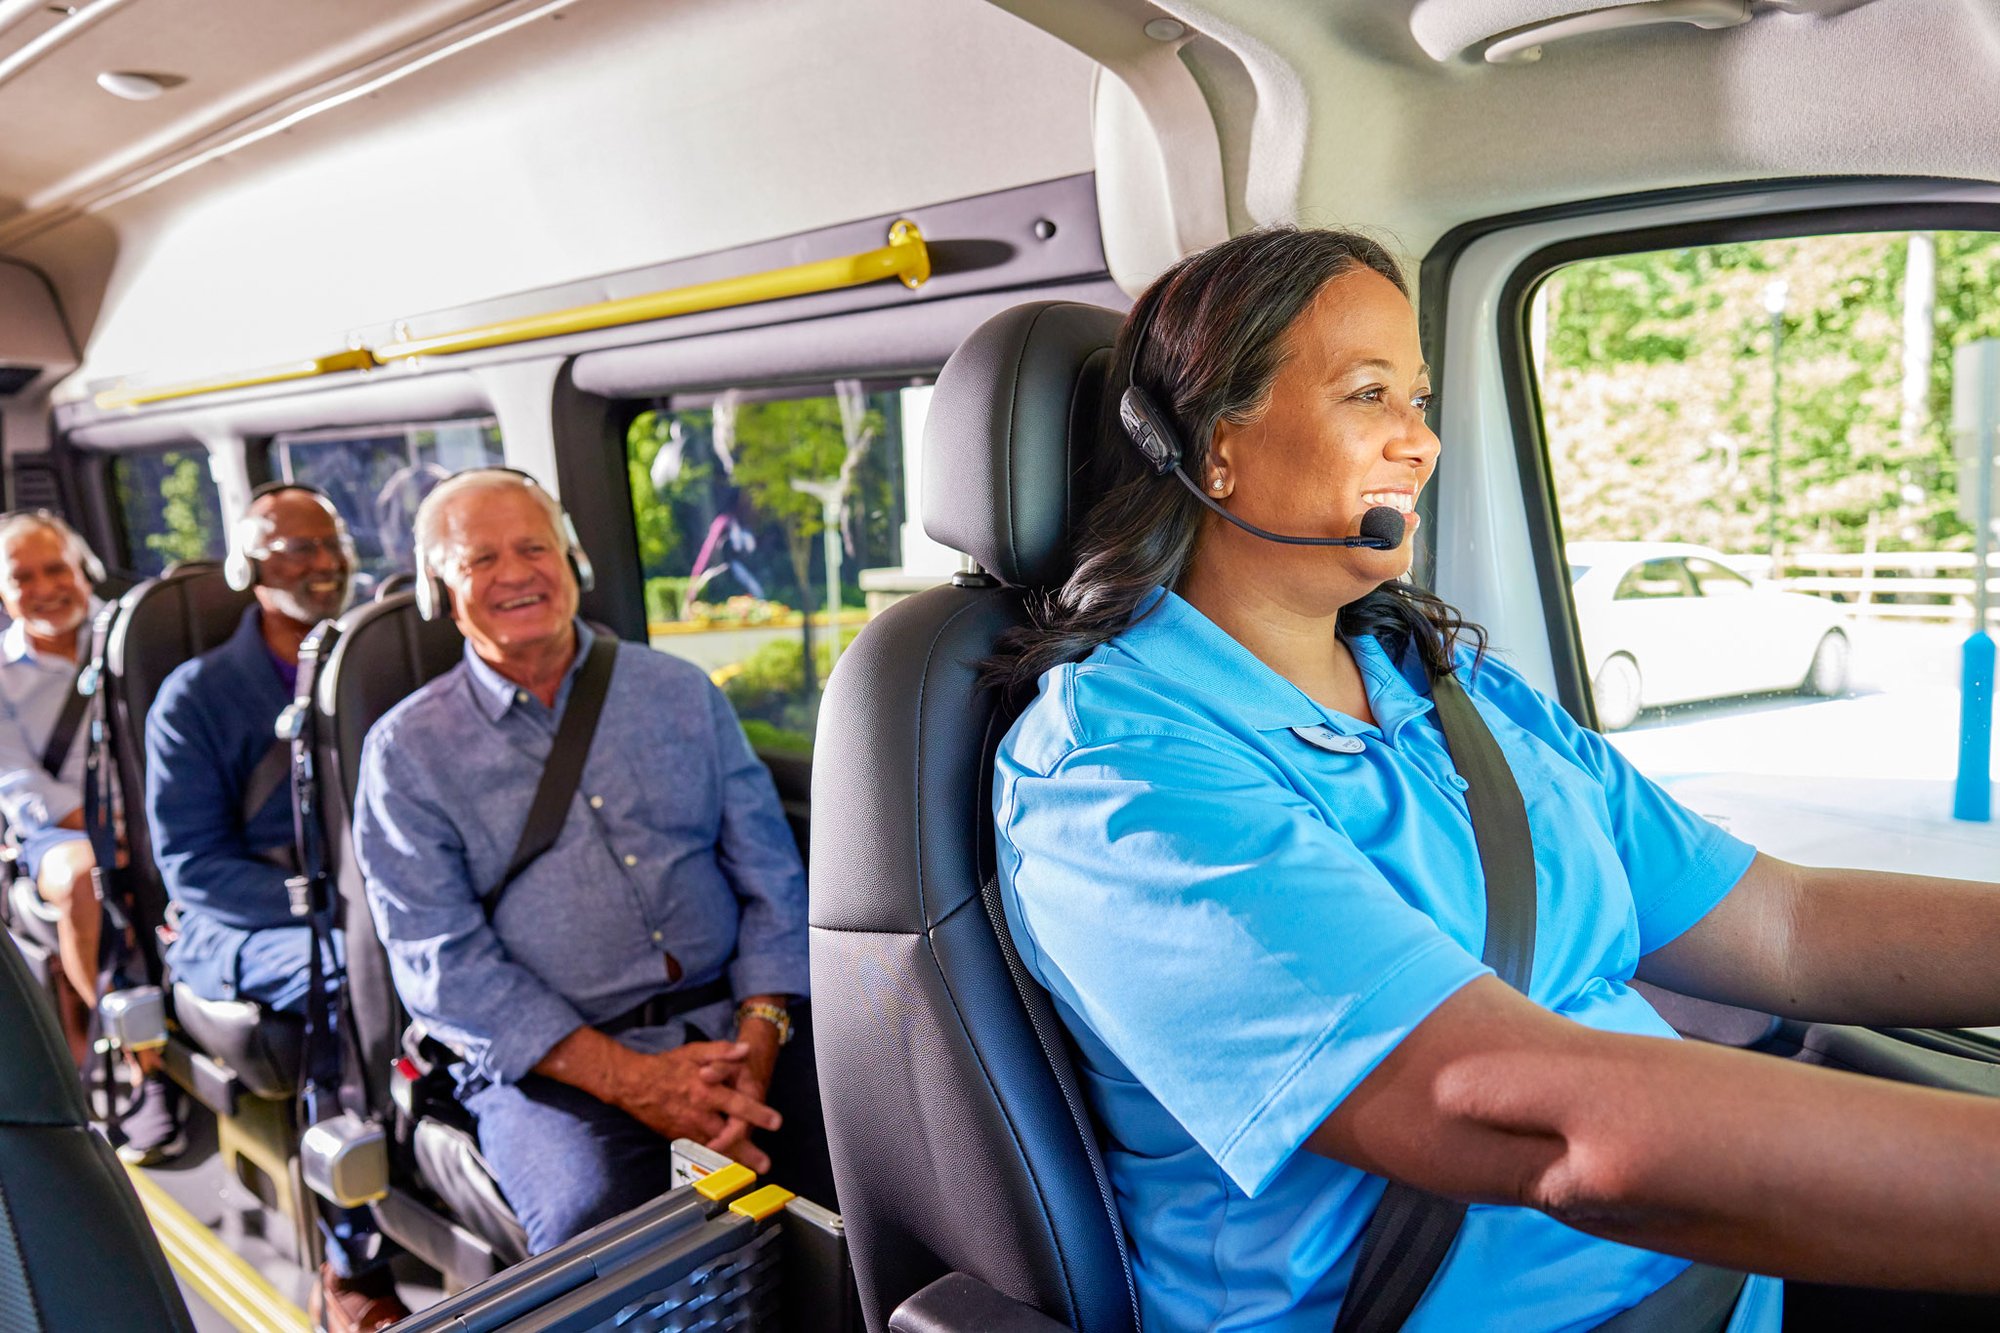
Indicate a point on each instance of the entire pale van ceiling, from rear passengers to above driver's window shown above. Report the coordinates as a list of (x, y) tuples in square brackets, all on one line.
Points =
[(607, 135)]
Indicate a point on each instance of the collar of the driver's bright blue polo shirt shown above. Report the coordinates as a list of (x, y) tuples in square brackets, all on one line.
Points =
[(1171, 637)]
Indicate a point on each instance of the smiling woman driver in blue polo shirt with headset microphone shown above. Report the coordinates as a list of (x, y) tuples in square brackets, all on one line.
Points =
[(1237, 852)]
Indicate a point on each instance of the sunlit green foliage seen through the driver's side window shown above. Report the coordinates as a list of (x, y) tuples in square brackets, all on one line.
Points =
[(1657, 393)]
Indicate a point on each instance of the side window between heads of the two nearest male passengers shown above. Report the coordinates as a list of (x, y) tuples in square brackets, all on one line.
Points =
[(379, 475)]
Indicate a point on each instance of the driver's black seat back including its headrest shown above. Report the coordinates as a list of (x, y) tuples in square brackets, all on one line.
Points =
[(953, 1110)]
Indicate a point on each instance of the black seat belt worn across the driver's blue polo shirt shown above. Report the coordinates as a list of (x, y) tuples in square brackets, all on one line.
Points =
[(1413, 1230)]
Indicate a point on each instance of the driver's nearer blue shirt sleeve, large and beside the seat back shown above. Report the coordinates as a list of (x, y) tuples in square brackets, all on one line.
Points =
[(1233, 950)]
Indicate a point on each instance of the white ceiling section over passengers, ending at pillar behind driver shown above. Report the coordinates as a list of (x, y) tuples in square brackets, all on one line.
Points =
[(601, 137)]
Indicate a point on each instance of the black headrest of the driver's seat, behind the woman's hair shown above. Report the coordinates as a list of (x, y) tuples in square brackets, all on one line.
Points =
[(1011, 429)]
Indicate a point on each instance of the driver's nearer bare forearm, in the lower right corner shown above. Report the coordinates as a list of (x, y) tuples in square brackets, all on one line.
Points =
[(1777, 1168)]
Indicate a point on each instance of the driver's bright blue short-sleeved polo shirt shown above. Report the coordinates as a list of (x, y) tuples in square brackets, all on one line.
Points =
[(1241, 902)]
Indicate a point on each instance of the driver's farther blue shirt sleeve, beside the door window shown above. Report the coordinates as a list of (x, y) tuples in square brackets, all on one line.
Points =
[(1679, 864)]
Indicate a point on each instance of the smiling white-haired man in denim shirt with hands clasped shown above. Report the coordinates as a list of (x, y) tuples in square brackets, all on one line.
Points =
[(669, 914)]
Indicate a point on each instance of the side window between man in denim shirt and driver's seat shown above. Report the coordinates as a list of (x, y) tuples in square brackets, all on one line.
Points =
[(743, 503)]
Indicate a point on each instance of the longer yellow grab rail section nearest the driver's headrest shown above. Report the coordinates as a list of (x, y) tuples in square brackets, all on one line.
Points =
[(905, 257)]
